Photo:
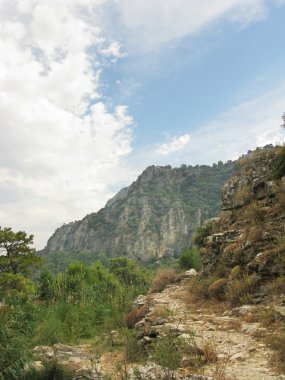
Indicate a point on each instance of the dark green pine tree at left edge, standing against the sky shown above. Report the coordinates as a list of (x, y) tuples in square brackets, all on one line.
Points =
[(16, 255)]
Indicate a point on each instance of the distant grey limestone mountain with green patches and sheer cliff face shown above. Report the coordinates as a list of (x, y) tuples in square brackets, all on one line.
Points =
[(155, 216)]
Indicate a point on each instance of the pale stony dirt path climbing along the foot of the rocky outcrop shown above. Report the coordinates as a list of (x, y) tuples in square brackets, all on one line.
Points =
[(238, 344)]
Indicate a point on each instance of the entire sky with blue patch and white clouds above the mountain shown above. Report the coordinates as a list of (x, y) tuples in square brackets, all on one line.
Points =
[(94, 91)]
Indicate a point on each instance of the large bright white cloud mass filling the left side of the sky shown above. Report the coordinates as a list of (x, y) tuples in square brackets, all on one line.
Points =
[(61, 147)]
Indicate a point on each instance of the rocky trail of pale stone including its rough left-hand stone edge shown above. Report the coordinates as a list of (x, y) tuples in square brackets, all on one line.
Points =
[(241, 351)]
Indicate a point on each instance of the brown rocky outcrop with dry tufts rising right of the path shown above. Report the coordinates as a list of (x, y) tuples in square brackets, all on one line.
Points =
[(251, 227)]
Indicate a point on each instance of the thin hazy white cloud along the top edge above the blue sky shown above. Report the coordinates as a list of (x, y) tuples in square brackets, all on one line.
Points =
[(151, 25)]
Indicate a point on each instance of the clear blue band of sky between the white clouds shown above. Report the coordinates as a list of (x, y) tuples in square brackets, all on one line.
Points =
[(200, 76)]
